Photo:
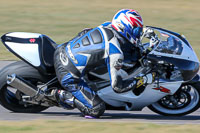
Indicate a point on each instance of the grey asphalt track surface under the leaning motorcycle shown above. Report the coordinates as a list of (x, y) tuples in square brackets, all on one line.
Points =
[(54, 113)]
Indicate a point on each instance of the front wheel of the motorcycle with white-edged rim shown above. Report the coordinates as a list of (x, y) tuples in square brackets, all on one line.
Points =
[(185, 101)]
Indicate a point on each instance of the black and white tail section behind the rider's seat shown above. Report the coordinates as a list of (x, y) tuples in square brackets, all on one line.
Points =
[(34, 48)]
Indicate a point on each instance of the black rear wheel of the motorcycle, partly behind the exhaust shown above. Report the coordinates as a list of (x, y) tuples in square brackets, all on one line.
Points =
[(10, 98)]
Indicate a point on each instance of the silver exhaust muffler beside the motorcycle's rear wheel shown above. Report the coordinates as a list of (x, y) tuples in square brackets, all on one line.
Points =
[(24, 86)]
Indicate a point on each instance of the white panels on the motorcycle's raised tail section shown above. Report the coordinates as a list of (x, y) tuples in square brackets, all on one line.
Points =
[(28, 51)]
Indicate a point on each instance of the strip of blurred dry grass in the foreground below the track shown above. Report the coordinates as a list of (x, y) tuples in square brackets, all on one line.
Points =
[(49, 126)]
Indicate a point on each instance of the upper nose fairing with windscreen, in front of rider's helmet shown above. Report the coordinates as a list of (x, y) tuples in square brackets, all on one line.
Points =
[(175, 49)]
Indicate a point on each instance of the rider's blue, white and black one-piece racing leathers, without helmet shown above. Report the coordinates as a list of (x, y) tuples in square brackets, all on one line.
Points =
[(91, 48)]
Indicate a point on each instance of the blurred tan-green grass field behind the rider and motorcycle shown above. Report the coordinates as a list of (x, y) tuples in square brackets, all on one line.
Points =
[(63, 19)]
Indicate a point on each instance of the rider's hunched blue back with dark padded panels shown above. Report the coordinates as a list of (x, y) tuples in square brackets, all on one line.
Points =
[(88, 49)]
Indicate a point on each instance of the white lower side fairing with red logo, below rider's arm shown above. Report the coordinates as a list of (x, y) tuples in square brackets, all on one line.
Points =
[(148, 97)]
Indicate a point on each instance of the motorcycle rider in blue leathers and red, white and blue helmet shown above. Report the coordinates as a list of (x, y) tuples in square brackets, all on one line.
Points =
[(111, 43)]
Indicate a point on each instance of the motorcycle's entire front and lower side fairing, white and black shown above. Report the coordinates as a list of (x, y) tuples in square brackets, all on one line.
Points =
[(179, 53)]
